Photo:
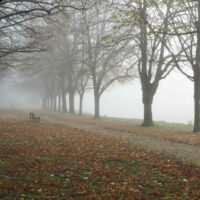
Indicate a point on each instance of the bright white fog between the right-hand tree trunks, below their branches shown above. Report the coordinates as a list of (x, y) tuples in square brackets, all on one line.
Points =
[(173, 102)]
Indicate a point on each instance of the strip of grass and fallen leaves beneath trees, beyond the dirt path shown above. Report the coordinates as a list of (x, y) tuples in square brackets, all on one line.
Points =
[(172, 131)]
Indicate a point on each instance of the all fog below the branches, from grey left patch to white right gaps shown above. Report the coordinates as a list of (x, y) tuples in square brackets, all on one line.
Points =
[(173, 102)]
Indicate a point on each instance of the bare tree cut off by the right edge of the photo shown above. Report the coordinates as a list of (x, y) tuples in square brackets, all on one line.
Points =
[(185, 26)]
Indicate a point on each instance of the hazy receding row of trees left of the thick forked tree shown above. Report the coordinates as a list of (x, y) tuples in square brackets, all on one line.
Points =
[(79, 57)]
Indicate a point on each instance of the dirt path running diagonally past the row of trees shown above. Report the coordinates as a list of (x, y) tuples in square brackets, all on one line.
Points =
[(181, 151)]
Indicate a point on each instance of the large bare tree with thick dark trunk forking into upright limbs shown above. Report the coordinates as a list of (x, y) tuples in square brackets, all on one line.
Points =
[(140, 22)]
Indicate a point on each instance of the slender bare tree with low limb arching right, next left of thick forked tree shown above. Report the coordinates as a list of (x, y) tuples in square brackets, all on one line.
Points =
[(103, 61)]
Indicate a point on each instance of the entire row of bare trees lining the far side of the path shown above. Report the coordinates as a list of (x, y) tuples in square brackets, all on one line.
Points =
[(101, 42)]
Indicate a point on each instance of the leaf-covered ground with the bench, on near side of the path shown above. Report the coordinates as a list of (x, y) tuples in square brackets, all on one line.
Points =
[(53, 161)]
